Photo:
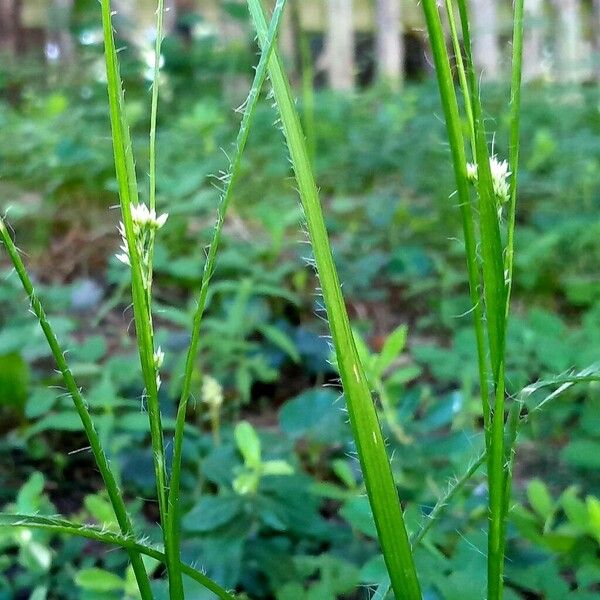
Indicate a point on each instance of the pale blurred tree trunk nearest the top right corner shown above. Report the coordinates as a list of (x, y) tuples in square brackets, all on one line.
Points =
[(568, 52)]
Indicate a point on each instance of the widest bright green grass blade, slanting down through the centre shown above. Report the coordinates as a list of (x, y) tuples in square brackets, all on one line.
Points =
[(381, 489)]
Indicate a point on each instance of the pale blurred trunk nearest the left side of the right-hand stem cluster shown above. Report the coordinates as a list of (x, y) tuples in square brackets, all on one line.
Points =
[(389, 42)]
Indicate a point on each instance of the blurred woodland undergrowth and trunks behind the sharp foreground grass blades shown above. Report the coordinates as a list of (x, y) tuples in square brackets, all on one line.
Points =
[(274, 502)]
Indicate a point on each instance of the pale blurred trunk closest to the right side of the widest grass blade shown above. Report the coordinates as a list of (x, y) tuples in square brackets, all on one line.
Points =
[(340, 44)]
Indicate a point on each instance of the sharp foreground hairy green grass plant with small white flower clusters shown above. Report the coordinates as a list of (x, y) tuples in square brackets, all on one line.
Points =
[(489, 274)]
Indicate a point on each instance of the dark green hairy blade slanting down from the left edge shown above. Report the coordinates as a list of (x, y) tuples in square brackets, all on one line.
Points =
[(112, 488)]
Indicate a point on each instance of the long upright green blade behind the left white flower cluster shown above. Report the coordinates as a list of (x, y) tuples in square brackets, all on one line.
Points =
[(128, 194)]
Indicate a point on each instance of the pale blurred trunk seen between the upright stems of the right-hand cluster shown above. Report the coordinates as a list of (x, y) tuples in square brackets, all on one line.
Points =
[(486, 47)]
